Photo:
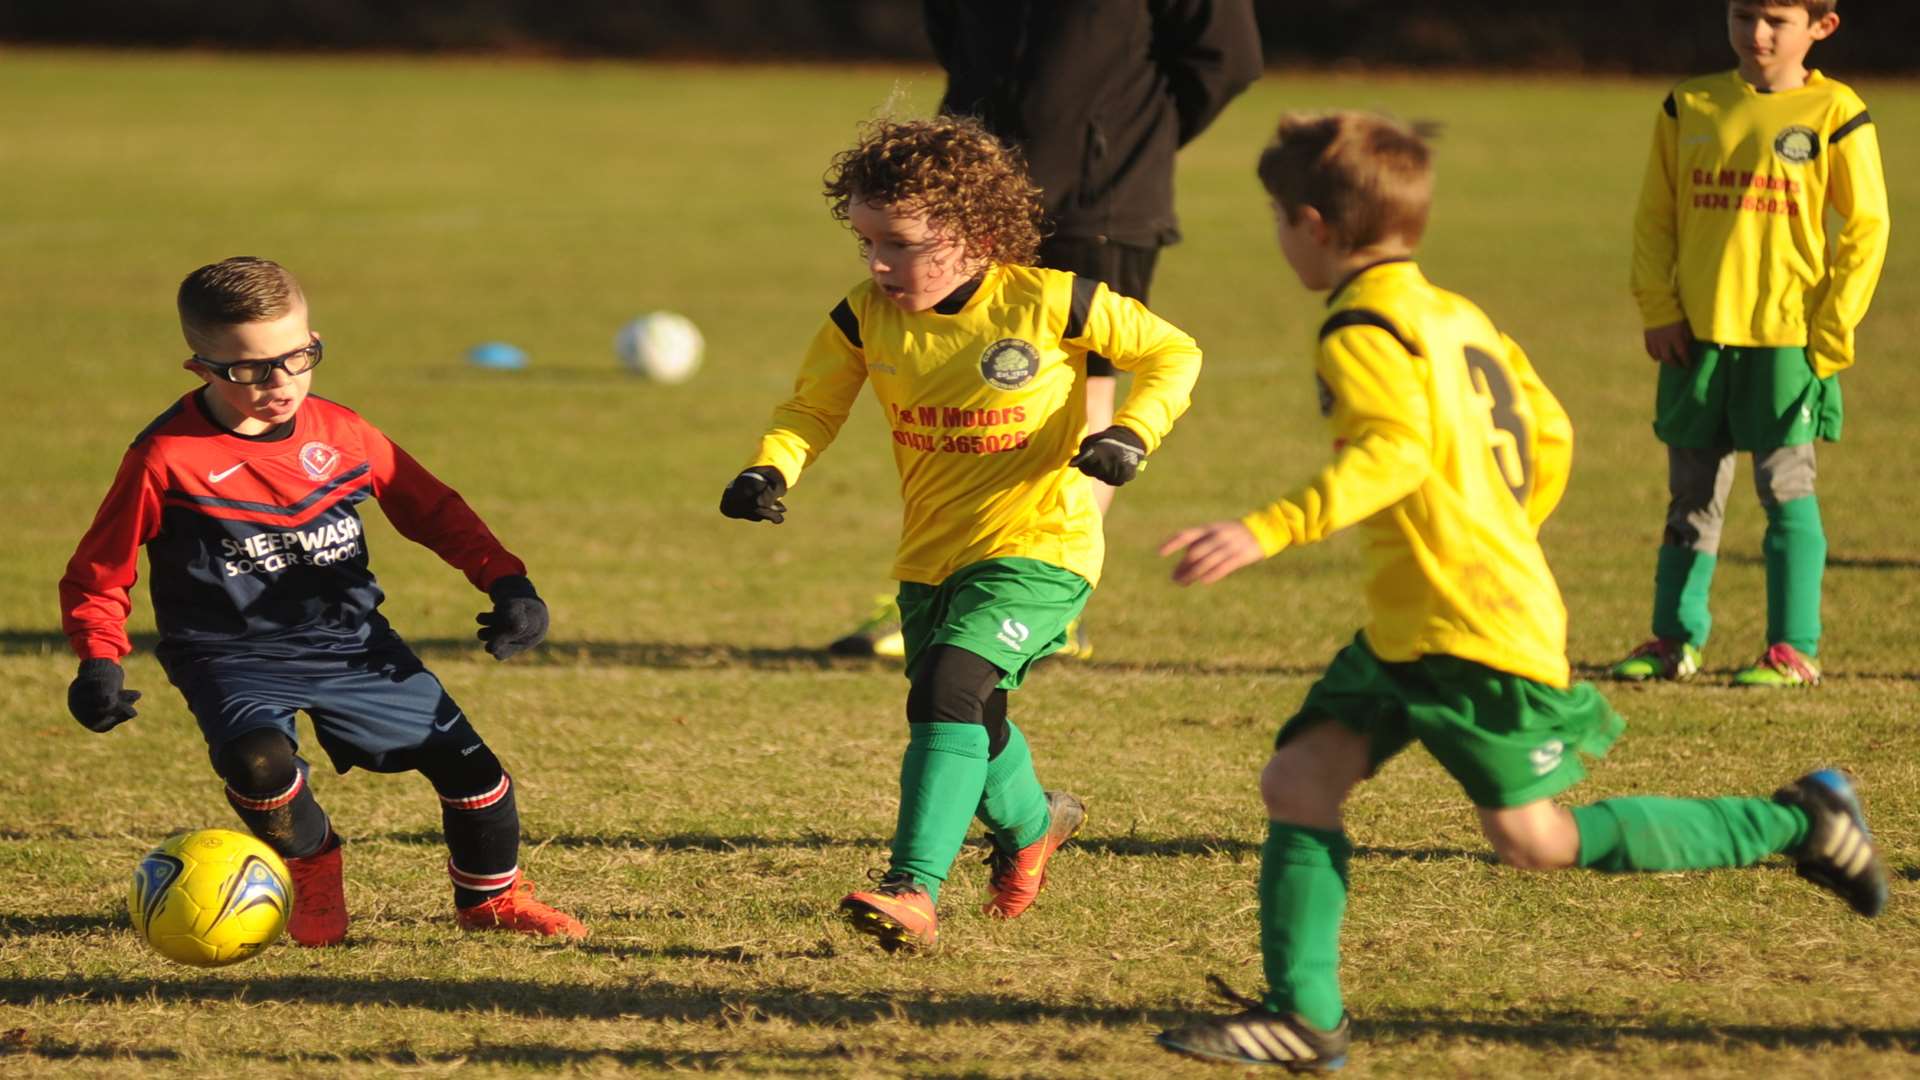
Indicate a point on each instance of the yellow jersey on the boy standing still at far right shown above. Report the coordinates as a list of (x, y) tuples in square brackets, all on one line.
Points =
[(1733, 235)]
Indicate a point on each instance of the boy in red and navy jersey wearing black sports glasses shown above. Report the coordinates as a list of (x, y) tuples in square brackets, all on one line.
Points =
[(245, 497)]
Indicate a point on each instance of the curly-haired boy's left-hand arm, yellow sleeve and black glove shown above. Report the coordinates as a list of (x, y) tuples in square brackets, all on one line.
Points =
[(805, 424)]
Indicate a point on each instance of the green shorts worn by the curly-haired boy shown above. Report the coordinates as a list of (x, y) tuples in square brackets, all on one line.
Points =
[(1007, 612)]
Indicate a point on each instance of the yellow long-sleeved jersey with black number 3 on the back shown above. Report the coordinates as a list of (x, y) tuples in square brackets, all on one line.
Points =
[(1451, 453)]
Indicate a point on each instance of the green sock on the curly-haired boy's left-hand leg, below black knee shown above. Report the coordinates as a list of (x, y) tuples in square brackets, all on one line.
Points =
[(942, 779)]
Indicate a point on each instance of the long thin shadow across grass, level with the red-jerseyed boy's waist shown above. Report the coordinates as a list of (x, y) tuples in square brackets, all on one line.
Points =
[(681, 656)]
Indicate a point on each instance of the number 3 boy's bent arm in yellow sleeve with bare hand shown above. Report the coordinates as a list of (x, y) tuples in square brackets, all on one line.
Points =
[(1376, 397)]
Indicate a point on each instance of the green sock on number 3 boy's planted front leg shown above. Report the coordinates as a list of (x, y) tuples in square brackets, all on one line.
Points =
[(1303, 900)]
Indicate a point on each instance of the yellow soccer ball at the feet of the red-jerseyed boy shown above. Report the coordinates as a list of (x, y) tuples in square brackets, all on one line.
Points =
[(210, 898)]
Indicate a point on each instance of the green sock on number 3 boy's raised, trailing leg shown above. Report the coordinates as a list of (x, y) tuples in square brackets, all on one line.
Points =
[(1652, 833)]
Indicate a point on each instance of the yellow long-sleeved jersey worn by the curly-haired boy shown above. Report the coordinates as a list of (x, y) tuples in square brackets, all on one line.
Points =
[(986, 403)]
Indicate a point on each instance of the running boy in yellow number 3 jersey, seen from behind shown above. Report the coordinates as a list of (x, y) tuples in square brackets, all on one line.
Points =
[(1451, 453)]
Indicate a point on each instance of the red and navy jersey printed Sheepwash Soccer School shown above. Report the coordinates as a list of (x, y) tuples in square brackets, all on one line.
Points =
[(256, 547)]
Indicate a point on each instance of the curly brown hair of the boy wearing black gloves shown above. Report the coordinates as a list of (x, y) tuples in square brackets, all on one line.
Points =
[(971, 185)]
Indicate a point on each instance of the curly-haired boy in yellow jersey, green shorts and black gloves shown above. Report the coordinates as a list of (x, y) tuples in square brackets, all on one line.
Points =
[(980, 364)]
